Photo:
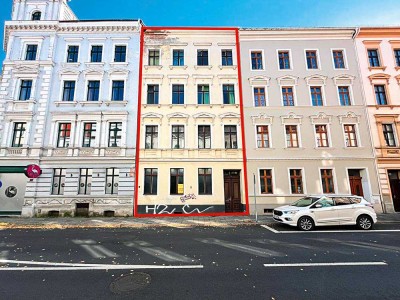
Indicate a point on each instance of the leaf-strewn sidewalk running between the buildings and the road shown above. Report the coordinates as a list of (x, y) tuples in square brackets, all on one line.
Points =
[(179, 222)]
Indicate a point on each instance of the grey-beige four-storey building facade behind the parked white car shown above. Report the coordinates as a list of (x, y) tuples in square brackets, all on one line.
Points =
[(305, 118)]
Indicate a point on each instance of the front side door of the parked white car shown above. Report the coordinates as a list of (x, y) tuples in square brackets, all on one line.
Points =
[(326, 214)]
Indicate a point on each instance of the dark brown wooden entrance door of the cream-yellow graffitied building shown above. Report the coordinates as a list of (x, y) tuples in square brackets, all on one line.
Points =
[(232, 191)]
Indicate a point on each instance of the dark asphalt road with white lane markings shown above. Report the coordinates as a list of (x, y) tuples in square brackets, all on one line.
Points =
[(199, 263)]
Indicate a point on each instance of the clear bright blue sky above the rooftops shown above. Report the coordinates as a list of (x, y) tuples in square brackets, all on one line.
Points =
[(242, 13)]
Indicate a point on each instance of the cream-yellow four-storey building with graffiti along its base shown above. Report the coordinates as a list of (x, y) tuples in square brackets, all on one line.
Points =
[(190, 158)]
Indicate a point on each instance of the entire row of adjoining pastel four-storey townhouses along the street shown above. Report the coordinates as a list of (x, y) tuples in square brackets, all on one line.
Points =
[(126, 119)]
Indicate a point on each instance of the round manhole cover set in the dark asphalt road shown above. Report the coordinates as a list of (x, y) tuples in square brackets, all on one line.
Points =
[(130, 282)]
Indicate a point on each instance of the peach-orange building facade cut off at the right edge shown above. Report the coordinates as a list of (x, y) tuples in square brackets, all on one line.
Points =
[(379, 59)]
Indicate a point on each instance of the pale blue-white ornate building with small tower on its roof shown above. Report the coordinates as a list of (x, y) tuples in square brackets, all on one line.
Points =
[(68, 104)]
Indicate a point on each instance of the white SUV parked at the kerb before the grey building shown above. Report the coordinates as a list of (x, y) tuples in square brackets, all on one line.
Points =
[(327, 210)]
